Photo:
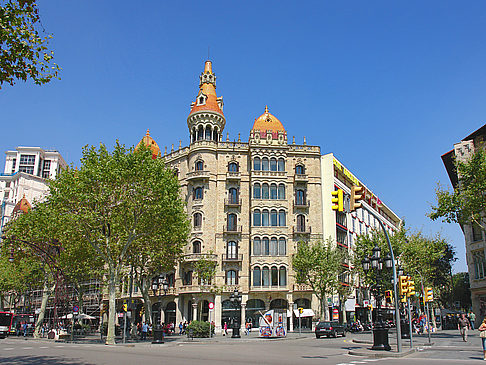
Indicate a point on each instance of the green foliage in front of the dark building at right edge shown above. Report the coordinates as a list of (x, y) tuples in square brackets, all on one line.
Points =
[(467, 203)]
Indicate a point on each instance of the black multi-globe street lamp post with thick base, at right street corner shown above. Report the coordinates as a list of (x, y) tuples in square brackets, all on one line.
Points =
[(380, 329)]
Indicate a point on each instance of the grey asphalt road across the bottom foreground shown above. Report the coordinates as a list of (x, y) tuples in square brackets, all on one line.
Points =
[(307, 350)]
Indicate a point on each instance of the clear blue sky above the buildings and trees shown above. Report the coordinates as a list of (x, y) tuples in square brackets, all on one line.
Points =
[(388, 87)]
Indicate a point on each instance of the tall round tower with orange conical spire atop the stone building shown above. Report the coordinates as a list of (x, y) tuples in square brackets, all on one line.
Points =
[(206, 120)]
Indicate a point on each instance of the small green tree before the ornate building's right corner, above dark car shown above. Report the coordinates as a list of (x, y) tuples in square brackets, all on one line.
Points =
[(318, 265)]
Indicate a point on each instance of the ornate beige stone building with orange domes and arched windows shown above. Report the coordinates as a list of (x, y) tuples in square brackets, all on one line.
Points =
[(249, 204)]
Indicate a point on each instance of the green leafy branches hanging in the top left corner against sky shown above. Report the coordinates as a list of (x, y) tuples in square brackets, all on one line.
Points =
[(23, 50)]
